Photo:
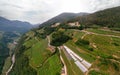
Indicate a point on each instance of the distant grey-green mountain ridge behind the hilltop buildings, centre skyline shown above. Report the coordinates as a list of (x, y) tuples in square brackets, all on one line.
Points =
[(62, 18)]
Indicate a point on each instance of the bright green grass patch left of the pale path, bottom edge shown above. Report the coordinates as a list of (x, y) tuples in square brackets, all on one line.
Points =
[(52, 66)]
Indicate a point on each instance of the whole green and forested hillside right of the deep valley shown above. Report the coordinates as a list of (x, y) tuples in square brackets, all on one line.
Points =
[(88, 49)]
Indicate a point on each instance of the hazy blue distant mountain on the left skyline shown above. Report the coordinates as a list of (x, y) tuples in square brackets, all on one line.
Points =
[(15, 25)]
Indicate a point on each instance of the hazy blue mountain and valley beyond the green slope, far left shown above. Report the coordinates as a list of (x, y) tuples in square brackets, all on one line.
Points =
[(10, 32)]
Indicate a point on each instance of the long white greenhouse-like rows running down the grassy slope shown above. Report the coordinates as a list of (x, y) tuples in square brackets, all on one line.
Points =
[(80, 62)]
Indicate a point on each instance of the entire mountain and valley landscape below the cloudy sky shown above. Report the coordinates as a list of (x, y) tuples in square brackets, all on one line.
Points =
[(67, 44)]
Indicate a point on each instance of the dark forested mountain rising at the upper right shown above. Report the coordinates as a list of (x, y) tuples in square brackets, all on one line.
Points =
[(108, 18)]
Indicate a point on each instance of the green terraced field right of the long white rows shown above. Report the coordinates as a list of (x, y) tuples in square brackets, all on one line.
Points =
[(105, 54)]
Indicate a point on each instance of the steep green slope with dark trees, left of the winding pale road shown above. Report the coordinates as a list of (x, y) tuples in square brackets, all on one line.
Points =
[(36, 56)]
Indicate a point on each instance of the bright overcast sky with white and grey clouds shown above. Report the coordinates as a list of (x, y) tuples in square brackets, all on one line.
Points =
[(39, 11)]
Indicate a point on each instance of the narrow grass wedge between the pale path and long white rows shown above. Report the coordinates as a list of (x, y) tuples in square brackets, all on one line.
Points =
[(72, 69)]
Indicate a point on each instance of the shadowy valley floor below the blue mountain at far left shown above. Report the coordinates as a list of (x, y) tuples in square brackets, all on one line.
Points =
[(7, 49)]
